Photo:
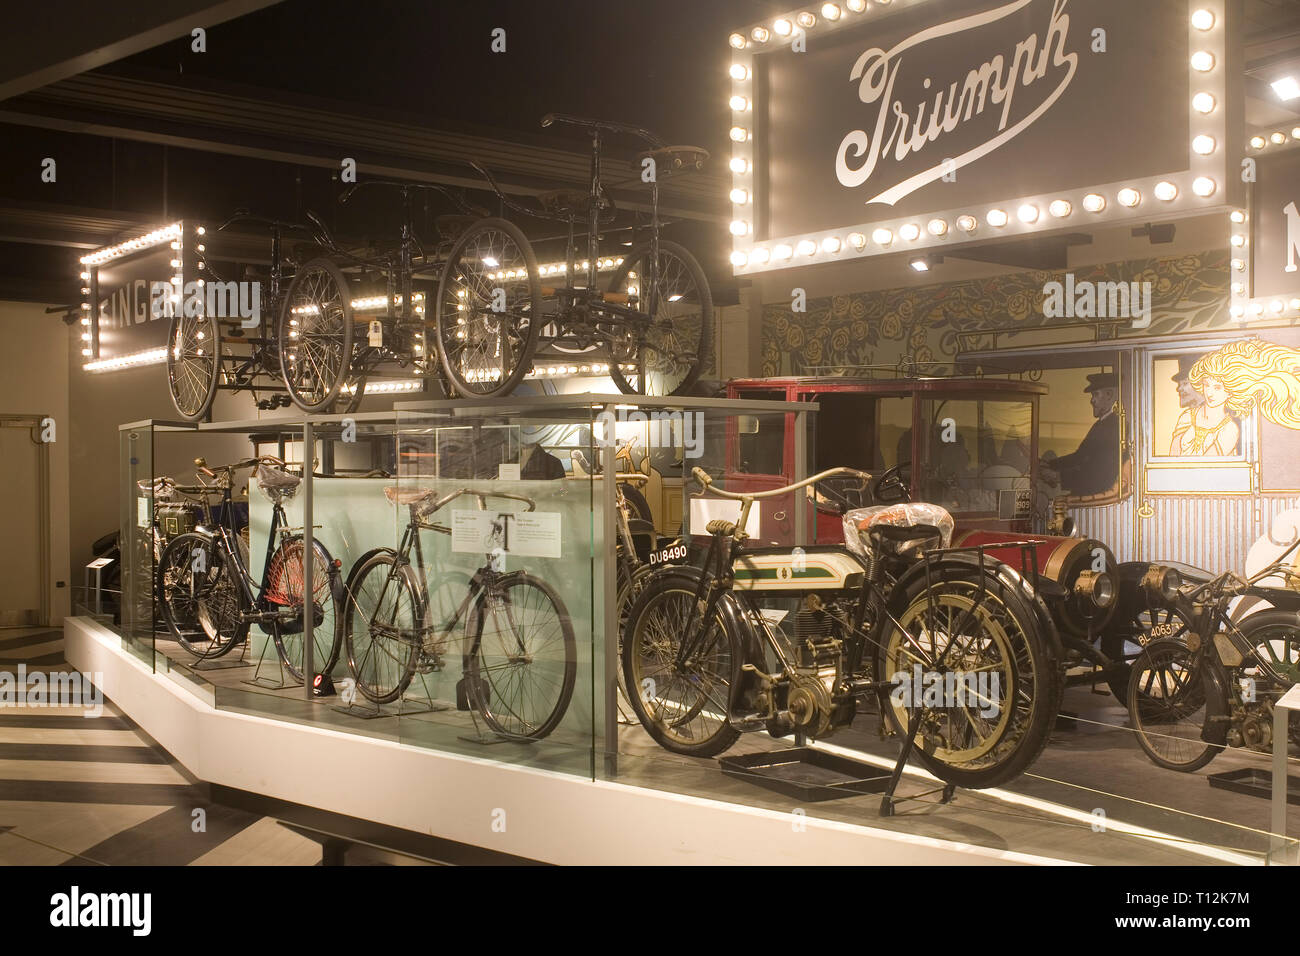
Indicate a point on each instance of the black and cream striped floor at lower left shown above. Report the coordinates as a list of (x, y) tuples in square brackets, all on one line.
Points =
[(84, 791)]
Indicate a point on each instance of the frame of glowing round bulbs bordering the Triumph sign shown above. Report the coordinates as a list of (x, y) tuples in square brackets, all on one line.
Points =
[(1198, 189)]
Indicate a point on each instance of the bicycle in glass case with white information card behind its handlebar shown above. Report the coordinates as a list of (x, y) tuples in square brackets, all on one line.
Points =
[(519, 657)]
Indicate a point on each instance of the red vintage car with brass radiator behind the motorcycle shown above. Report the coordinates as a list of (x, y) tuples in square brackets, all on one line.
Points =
[(970, 444)]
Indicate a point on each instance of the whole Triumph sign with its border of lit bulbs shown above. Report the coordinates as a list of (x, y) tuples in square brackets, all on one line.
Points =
[(863, 129)]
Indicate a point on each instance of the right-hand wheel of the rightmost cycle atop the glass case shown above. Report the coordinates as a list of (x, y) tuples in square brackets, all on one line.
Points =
[(686, 279)]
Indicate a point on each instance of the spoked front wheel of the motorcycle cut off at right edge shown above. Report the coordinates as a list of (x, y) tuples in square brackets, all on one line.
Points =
[(1169, 710)]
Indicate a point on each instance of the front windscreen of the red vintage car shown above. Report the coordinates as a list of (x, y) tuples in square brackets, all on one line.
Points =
[(976, 456)]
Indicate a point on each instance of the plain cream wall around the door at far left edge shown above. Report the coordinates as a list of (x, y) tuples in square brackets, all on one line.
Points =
[(36, 383)]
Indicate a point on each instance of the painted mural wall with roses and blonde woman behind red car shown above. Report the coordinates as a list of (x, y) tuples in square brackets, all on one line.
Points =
[(1182, 419)]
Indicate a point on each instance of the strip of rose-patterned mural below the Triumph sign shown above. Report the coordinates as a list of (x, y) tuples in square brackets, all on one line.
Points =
[(851, 335)]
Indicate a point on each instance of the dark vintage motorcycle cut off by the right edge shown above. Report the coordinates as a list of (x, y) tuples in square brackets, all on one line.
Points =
[(1210, 681)]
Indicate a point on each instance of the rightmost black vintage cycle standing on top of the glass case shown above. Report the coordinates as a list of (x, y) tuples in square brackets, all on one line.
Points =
[(653, 325)]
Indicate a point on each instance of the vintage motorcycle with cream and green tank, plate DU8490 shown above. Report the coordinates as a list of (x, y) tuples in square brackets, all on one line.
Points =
[(762, 638)]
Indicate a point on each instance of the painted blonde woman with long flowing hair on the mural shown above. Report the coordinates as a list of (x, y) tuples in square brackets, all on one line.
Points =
[(1233, 383)]
